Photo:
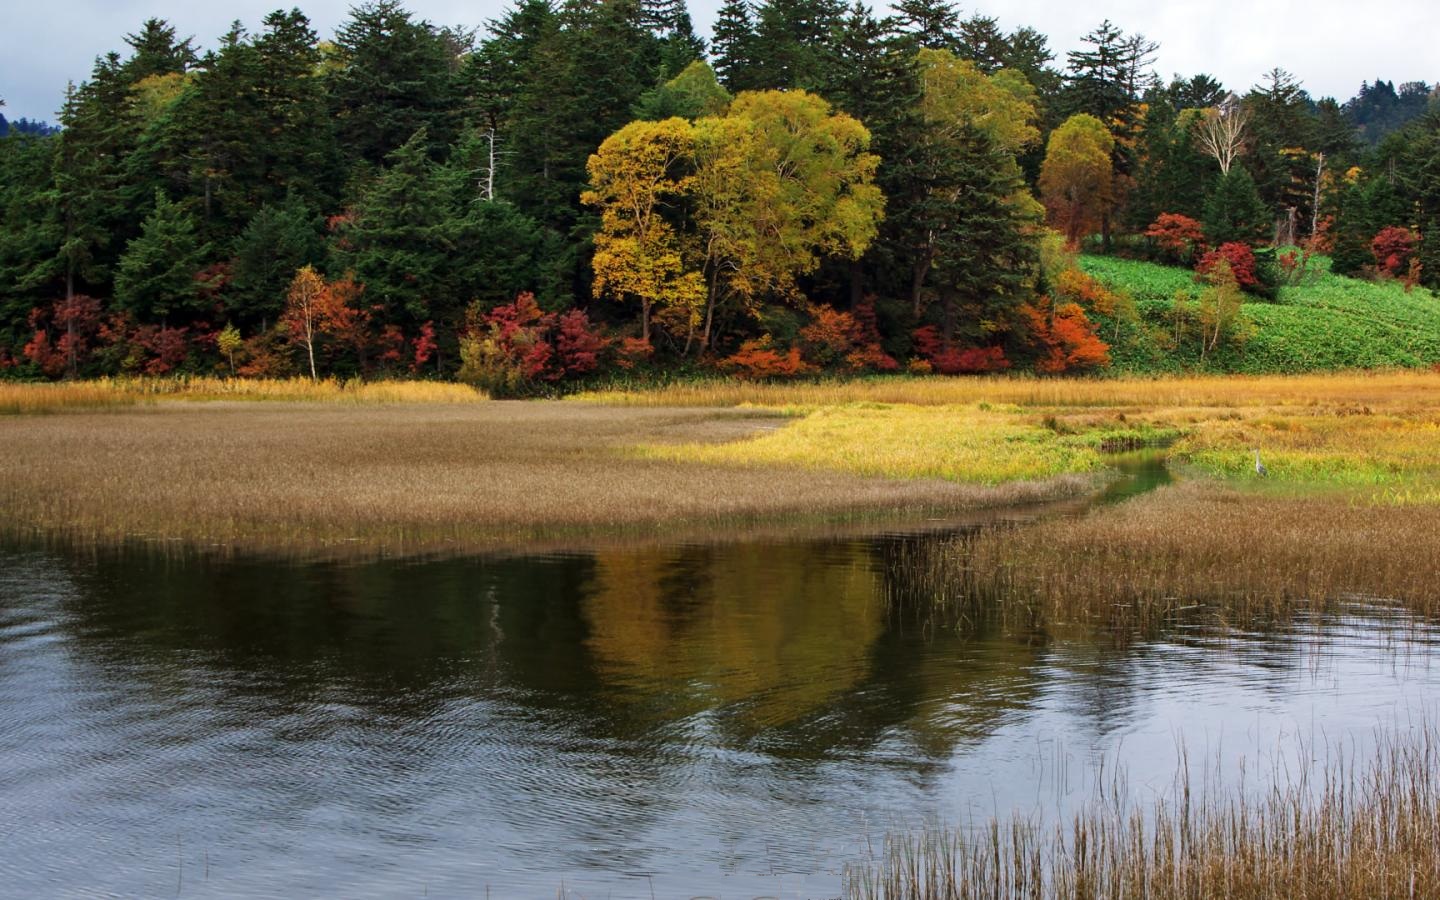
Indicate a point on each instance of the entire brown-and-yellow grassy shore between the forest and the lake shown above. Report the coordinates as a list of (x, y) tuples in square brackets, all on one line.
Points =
[(421, 467)]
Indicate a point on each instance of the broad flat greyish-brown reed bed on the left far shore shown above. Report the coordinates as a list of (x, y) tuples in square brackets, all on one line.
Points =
[(417, 477)]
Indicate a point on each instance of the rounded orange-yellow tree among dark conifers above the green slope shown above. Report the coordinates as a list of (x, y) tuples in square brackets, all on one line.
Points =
[(1076, 179)]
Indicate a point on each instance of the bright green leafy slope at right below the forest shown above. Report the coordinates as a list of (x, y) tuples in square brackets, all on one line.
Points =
[(1328, 323)]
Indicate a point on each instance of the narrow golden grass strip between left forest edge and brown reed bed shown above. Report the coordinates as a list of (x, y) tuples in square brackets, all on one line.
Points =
[(109, 394)]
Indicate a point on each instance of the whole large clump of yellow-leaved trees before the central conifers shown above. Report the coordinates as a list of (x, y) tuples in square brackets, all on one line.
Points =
[(725, 214)]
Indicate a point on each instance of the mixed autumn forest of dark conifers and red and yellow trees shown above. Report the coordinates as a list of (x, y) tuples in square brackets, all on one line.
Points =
[(588, 191)]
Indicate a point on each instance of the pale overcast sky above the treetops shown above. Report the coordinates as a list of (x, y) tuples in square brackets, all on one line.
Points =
[(1330, 45)]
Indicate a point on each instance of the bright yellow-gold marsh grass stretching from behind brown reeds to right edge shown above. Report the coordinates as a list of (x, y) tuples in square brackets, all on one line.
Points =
[(1315, 433)]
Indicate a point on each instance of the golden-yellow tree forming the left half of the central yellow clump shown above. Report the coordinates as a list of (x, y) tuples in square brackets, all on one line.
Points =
[(640, 178)]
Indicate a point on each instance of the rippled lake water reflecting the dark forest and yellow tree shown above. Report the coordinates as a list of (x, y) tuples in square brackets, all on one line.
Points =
[(729, 722)]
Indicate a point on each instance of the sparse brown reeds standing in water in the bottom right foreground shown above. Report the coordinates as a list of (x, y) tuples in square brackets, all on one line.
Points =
[(1337, 830)]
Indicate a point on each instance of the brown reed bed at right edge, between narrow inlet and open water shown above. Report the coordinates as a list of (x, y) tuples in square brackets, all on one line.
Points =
[(1189, 552)]
